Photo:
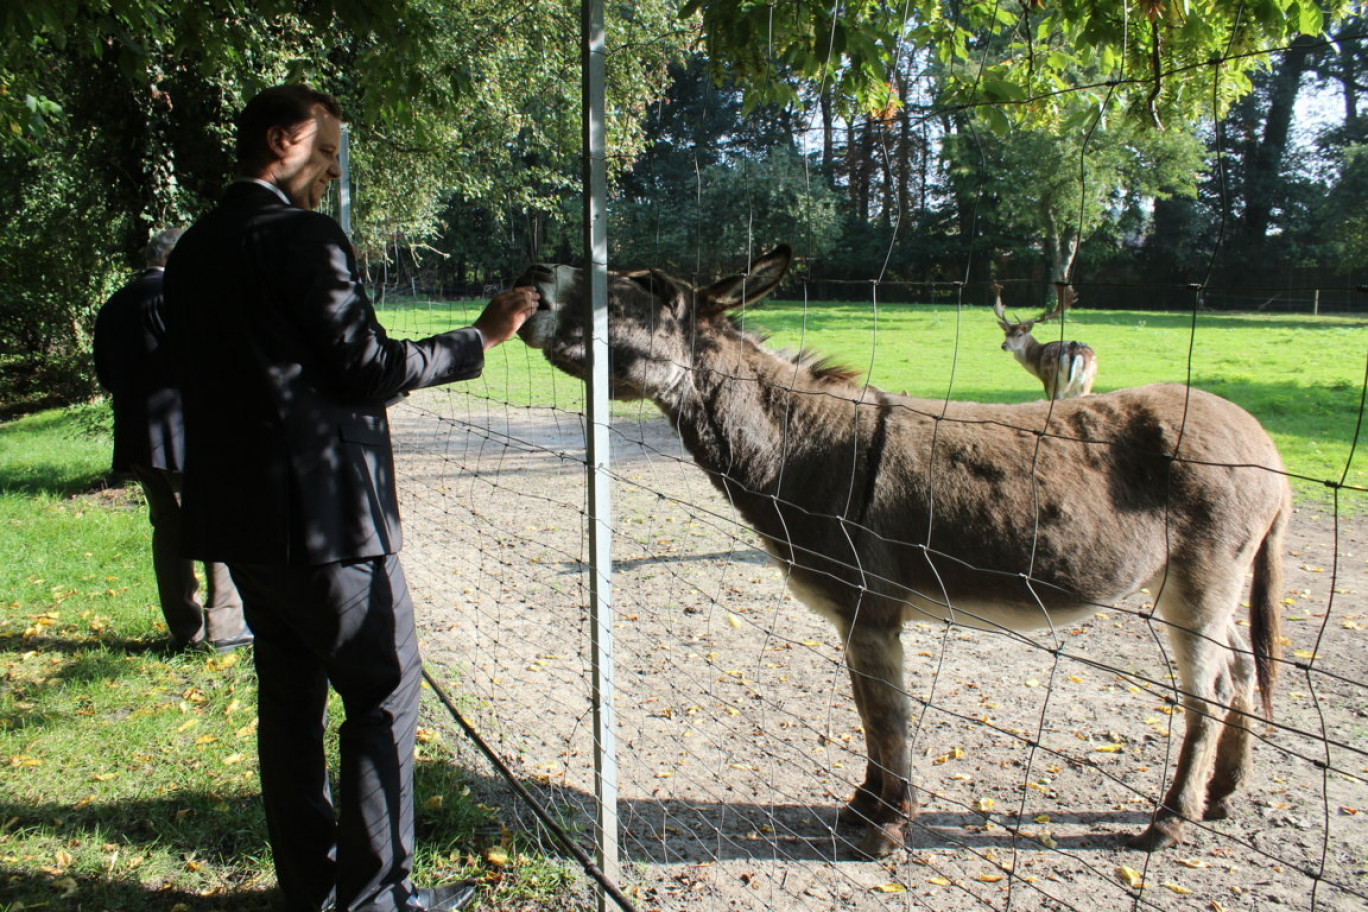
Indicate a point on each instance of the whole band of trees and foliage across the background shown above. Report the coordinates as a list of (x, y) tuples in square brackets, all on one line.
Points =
[(947, 131)]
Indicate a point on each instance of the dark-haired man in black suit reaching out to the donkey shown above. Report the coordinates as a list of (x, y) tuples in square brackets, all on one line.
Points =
[(287, 377)]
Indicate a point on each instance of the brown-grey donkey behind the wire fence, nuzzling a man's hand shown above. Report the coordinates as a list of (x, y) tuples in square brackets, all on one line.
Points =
[(886, 509)]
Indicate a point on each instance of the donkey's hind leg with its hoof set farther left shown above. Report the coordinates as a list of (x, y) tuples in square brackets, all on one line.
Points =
[(1203, 656)]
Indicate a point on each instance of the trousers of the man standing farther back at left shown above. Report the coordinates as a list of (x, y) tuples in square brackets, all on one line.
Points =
[(189, 623)]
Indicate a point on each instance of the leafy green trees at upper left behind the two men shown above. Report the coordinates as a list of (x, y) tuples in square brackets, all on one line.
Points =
[(116, 122)]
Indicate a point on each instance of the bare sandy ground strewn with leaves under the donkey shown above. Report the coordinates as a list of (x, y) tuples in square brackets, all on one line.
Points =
[(738, 739)]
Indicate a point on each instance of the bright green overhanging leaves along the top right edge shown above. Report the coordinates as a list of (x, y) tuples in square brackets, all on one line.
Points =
[(1042, 59)]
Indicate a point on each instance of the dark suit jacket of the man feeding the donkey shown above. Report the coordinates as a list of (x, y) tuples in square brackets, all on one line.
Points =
[(287, 374)]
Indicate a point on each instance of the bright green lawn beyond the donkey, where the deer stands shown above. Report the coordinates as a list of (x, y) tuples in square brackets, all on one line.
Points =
[(1302, 377)]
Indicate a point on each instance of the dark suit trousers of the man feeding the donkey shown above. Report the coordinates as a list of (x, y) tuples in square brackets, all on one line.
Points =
[(351, 626)]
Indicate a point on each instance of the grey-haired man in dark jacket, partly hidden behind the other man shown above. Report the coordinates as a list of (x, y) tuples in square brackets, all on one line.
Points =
[(135, 366)]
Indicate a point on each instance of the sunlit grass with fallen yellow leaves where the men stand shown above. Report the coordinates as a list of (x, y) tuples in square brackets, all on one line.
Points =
[(128, 775)]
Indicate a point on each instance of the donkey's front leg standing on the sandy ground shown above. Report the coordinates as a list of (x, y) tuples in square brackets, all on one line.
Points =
[(884, 802)]
